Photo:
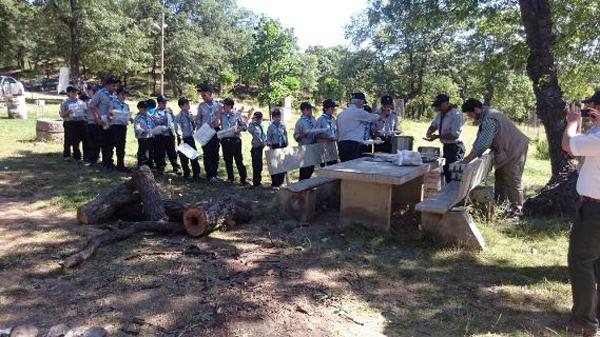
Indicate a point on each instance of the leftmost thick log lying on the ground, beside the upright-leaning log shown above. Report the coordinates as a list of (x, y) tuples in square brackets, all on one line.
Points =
[(102, 208)]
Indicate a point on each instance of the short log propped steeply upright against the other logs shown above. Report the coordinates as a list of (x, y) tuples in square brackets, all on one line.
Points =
[(152, 205)]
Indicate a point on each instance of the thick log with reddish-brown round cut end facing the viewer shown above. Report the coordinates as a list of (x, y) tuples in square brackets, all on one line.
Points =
[(206, 216)]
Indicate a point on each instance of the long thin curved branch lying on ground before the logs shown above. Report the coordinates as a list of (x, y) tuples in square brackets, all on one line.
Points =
[(160, 227)]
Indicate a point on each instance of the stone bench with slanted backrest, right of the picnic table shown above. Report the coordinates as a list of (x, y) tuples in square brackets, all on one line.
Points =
[(447, 224)]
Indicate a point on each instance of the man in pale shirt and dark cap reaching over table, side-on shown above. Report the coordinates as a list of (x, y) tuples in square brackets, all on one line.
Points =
[(350, 127)]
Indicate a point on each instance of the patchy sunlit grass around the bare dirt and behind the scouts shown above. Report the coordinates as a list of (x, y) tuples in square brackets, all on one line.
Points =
[(514, 288)]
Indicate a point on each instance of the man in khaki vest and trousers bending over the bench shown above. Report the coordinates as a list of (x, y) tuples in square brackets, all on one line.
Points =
[(509, 146)]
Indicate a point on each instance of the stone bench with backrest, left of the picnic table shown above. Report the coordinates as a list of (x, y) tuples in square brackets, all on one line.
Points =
[(299, 200)]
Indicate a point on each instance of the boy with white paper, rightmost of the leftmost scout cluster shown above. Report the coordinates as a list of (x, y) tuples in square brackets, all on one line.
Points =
[(119, 118)]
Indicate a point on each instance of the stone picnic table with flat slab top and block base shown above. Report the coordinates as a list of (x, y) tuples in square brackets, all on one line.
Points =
[(371, 189)]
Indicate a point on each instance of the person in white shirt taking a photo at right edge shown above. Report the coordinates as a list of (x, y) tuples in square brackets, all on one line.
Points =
[(584, 247)]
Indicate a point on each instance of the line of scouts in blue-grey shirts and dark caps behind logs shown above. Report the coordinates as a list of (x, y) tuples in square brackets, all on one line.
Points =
[(98, 120)]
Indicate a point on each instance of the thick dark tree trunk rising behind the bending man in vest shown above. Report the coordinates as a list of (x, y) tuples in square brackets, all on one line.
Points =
[(537, 20)]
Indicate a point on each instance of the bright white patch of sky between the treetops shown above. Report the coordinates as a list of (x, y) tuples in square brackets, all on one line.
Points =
[(315, 22)]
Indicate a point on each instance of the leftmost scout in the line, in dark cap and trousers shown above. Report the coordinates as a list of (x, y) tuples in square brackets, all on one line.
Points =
[(72, 111)]
